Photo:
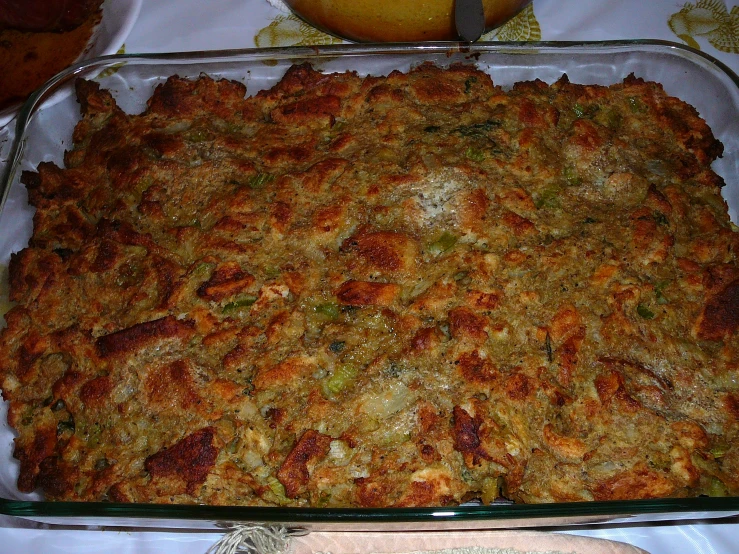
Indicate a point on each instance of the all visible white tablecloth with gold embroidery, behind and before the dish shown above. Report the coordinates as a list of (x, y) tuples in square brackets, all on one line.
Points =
[(189, 25)]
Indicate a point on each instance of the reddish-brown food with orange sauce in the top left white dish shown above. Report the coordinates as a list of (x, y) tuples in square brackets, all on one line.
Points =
[(28, 59)]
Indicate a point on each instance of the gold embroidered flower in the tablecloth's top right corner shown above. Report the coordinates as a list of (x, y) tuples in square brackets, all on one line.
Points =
[(709, 19)]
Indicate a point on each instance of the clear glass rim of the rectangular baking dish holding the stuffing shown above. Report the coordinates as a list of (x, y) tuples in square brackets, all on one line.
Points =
[(494, 512)]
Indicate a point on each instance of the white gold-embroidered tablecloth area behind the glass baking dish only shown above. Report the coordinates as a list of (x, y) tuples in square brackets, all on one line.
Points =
[(709, 25)]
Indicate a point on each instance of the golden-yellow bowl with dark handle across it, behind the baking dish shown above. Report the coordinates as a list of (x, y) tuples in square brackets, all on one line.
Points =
[(396, 20)]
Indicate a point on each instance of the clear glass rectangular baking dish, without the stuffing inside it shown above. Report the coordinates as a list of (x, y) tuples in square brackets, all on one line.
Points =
[(42, 133)]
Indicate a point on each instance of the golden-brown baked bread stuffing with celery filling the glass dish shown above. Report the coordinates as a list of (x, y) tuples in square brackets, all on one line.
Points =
[(385, 291)]
